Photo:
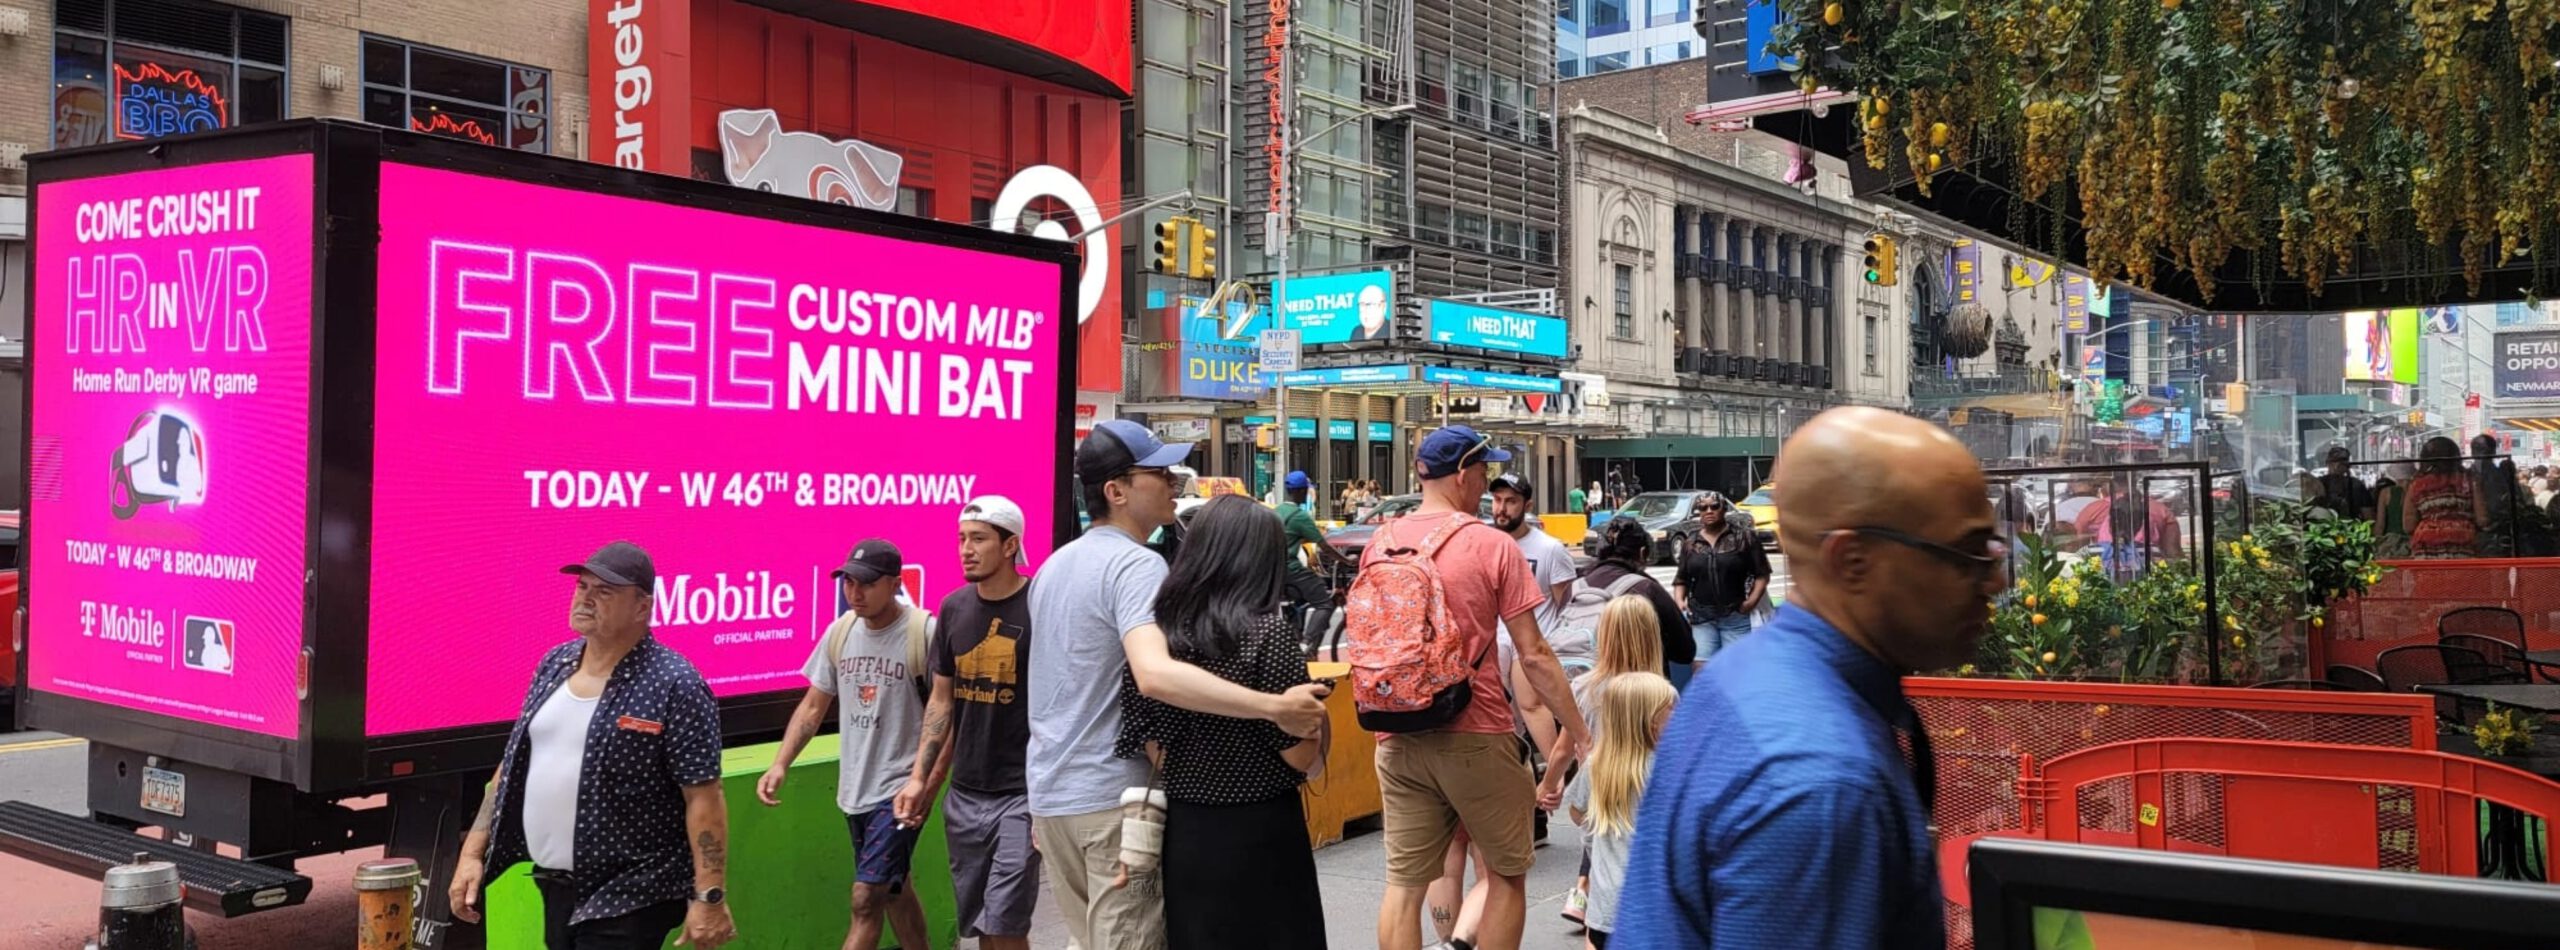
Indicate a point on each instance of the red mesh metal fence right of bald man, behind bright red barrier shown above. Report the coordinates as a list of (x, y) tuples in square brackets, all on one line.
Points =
[(1988, 731)]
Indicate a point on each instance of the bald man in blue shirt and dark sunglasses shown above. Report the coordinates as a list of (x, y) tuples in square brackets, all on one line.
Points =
[(1783, 810)]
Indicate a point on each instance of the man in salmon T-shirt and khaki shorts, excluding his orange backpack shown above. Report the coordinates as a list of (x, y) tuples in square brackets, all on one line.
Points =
[(1468, 772)]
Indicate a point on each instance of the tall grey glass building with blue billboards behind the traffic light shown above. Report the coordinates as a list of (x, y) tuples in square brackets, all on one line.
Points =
[(1394, 145)]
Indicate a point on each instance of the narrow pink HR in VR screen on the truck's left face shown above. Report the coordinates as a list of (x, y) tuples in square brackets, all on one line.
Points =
[(170, 442)]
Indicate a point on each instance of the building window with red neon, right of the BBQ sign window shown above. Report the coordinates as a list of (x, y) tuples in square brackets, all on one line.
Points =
[(457, 96)]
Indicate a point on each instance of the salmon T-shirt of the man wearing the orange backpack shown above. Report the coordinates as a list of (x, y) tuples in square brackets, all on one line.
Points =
[(1484, 580)]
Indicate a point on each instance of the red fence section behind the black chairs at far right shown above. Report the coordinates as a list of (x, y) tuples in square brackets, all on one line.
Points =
[(2413, 595)]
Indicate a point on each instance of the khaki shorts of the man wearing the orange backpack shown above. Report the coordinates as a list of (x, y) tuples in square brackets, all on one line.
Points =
[(1435, 782)]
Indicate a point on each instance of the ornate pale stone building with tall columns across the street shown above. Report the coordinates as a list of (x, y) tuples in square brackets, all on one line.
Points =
[(1724, 306)]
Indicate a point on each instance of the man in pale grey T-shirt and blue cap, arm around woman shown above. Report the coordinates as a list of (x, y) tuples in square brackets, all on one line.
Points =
[(1094, 608)]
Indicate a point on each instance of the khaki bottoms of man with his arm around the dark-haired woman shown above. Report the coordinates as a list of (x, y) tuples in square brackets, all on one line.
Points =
[(1082, 857)]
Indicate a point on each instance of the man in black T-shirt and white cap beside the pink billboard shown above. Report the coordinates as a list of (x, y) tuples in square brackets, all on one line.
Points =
[(977, 731)]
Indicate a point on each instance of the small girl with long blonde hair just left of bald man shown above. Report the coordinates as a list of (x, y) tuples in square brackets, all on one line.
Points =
[(1604, 798)]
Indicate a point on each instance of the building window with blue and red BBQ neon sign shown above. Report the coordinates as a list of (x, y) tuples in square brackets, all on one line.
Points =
[(163, 68)]
